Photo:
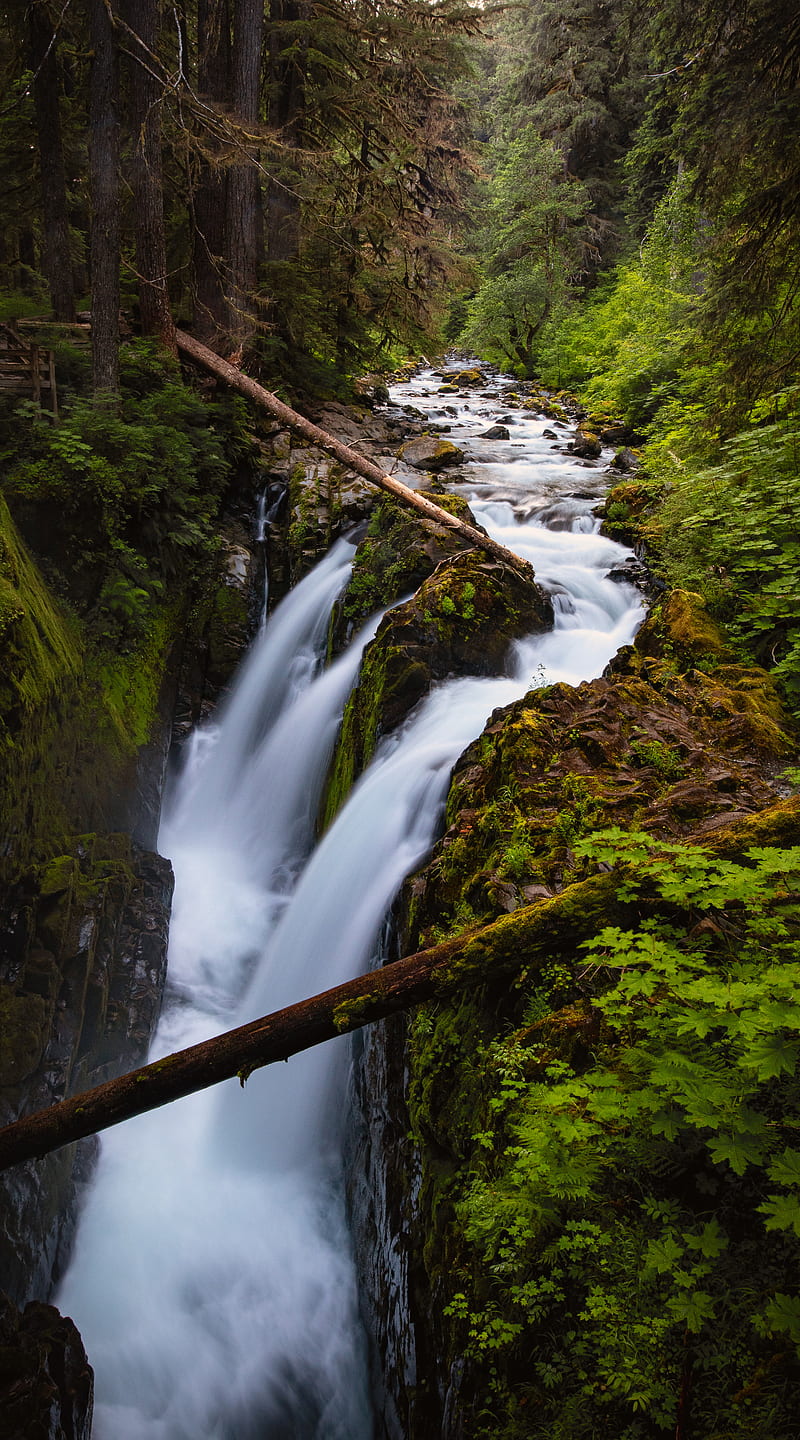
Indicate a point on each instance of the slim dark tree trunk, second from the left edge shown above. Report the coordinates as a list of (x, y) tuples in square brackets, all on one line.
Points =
[(104, 178)]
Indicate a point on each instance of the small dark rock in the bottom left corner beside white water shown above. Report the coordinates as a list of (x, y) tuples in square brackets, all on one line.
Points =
[(47, 1382)]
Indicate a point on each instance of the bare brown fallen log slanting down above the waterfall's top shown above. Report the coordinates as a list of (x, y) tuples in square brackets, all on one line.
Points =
[(255, 392)]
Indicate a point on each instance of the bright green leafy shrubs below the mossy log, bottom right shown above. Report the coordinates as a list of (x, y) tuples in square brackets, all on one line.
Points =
[(637, 1213)]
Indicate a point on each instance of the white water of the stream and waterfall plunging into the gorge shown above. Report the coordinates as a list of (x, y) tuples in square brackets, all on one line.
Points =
[(212, 1279)]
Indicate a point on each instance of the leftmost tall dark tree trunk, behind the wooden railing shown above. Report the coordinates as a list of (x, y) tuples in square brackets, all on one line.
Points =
[(57, 253)]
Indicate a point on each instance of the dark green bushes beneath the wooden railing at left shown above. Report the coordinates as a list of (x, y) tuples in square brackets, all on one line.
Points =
[(136, 493)]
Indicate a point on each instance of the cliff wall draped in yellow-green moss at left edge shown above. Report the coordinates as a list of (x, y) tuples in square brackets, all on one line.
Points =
[(74, 718)]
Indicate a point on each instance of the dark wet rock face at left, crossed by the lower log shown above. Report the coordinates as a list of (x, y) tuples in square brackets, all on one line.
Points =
[(81, 989)]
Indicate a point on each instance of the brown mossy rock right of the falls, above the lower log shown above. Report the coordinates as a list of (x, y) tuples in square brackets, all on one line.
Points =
[(655, 745)]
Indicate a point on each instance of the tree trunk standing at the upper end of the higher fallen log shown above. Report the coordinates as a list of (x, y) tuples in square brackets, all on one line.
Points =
[(145, 119)]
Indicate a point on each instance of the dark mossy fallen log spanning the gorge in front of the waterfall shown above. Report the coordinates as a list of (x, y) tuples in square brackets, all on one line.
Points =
[(530, 935)]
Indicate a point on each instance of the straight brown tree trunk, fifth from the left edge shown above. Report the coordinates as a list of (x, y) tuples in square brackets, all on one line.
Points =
[(244, 185)]
